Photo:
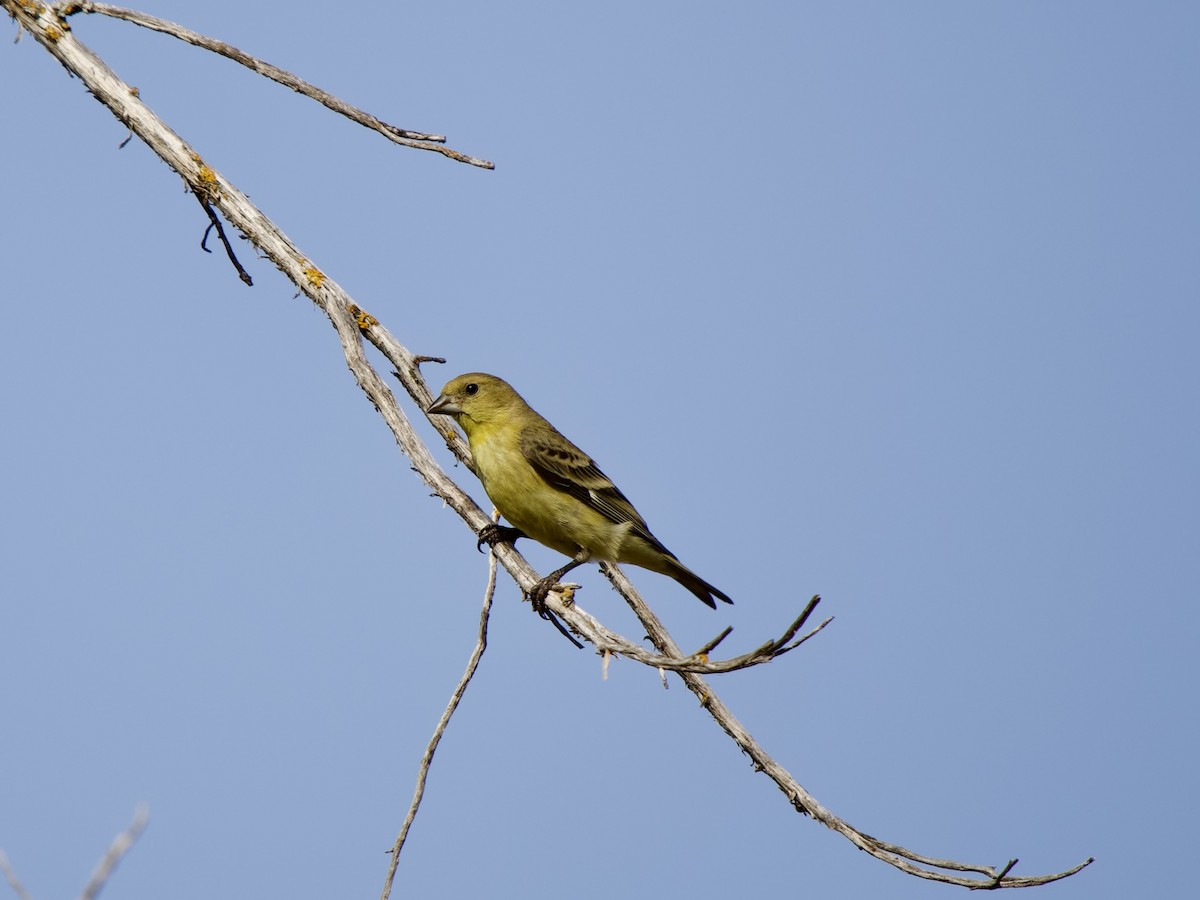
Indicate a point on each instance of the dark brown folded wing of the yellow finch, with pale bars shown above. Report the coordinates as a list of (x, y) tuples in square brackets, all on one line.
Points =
[(569, 470)]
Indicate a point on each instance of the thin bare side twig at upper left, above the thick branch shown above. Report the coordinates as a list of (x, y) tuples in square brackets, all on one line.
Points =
[(416, 140)]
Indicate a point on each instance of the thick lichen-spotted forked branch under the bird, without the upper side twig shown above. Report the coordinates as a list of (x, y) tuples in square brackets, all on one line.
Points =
[(52, 32)]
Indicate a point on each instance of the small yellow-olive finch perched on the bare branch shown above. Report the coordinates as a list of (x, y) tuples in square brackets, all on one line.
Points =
[(550, 490)]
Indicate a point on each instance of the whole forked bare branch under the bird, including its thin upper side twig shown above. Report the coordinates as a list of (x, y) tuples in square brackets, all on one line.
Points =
[(50, 28)]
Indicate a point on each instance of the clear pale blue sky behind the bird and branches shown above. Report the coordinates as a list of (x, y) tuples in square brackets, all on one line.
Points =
[(897, 303)]
